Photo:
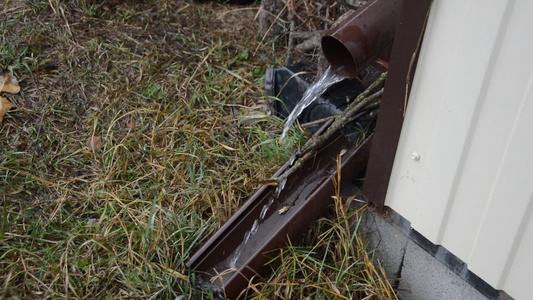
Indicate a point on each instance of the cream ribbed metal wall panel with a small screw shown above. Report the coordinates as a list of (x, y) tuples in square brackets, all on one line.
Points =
[(470, 120)]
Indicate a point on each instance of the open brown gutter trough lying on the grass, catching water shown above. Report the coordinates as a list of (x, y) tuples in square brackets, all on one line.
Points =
[(307, 193)]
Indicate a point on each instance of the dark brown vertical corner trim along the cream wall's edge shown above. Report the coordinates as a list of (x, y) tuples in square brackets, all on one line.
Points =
[(404, 57)]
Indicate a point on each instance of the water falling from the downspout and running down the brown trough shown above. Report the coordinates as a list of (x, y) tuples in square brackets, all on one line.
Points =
[(293, 193)]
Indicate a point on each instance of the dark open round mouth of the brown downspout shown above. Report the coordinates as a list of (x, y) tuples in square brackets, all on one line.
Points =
[(339, 57)]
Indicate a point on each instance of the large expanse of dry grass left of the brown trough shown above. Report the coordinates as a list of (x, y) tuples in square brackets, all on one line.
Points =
[(140, 129)]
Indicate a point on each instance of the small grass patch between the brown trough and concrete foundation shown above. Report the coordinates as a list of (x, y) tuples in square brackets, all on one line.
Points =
[(331, 262)]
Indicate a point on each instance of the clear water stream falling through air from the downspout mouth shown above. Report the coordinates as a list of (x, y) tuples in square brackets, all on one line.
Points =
[(329, 78)]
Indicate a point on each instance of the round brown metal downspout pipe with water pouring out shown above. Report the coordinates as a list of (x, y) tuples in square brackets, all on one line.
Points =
[(362, 37)]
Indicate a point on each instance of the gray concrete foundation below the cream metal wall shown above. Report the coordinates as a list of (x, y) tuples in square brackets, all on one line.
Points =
[(419, 269)]
